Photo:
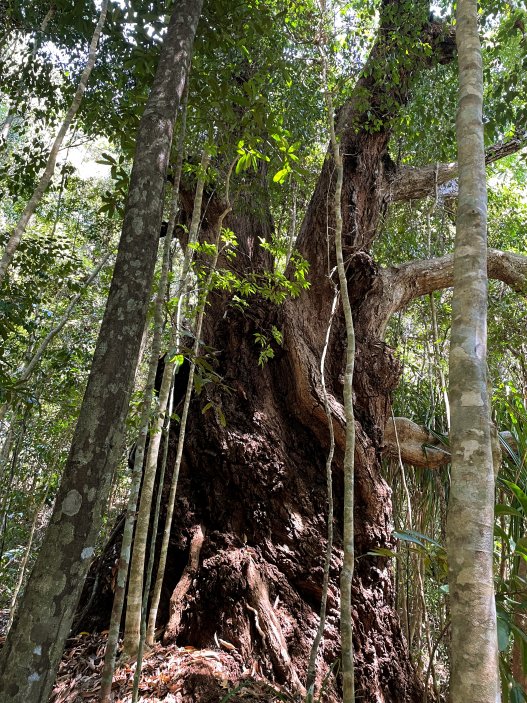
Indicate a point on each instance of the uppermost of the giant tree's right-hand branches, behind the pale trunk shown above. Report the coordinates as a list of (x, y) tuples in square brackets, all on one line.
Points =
[(411, 183)]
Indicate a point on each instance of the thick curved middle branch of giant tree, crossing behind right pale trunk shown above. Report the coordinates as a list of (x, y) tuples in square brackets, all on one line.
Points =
[(401, 284)]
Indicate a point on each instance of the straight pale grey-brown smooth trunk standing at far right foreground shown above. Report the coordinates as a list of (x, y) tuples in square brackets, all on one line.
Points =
[(474, 647)]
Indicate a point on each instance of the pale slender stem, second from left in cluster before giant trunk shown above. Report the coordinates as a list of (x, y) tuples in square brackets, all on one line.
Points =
[(134, 598)]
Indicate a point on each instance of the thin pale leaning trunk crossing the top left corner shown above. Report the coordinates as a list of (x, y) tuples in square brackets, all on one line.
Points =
[(29, 210)]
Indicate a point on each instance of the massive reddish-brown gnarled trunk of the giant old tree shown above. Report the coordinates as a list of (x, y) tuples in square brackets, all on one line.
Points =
[(247, 550)]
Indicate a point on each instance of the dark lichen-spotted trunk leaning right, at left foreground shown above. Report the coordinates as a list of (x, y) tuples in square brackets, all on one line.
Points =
[(32, 651)]
